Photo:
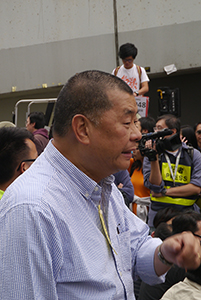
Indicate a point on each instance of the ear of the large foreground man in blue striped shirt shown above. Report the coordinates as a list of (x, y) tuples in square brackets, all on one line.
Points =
[(80, 126)]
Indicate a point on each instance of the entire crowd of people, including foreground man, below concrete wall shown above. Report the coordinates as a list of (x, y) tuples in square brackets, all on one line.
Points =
[(98, 215)]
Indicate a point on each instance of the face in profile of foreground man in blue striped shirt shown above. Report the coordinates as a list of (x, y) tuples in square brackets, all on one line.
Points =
[(115, 137)]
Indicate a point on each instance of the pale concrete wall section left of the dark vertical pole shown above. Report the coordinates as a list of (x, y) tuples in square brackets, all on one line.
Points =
[(47, 41)]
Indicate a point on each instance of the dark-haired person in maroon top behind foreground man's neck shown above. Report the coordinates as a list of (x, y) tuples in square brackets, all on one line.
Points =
[(35, 124)]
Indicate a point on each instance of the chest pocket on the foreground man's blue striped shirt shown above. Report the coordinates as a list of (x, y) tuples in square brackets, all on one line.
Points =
[(125, 250)]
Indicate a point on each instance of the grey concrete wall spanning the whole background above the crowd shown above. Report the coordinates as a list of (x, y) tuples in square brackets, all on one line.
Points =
[(44, 42)]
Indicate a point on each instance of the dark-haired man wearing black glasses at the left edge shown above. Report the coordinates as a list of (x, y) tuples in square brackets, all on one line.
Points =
[(17, 153)]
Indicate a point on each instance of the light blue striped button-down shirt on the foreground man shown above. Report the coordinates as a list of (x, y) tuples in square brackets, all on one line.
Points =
[(52, 245)]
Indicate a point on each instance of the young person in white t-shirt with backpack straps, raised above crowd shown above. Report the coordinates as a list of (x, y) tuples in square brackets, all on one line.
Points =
[(135, 76)]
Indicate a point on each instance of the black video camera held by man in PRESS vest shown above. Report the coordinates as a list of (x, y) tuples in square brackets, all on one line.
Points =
[(170, 144)]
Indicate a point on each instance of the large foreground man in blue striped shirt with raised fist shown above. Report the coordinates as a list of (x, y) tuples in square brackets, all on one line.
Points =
[(66, 232)]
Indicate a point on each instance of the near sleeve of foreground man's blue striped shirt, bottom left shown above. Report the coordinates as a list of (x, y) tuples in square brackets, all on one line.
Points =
[(30, 254)]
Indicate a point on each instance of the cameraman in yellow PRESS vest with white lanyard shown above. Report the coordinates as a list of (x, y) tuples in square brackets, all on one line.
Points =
[(174, 177)]
